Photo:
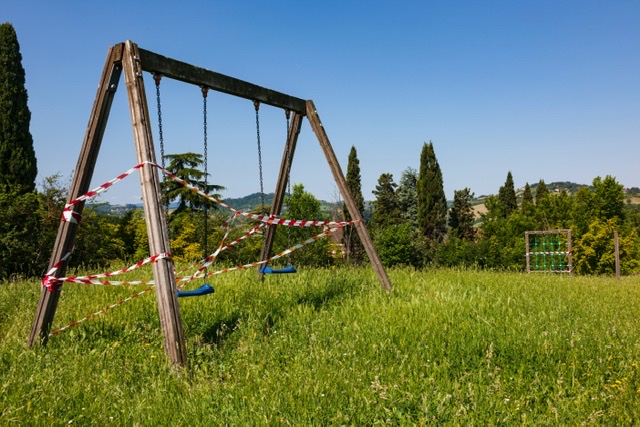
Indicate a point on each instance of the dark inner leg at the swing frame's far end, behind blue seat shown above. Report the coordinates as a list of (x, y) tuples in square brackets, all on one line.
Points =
[(281, 185)]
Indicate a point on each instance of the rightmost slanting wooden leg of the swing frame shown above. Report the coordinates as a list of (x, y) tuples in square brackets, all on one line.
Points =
[(318, 129)]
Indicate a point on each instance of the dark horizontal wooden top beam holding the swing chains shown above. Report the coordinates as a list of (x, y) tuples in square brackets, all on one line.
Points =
[(154, 63)]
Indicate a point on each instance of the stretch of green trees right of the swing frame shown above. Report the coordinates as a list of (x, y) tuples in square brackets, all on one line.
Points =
[(413, 225)]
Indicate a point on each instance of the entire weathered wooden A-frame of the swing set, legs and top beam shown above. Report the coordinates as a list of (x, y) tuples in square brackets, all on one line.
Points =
[(131, 59)]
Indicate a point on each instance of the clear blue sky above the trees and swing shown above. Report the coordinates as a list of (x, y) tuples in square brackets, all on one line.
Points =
[(544, 89)]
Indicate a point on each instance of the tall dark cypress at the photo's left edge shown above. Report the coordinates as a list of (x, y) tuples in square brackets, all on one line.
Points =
[(18, 165)]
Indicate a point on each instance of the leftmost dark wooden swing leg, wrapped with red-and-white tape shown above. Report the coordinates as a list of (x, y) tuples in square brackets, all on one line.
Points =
[(80, 185)]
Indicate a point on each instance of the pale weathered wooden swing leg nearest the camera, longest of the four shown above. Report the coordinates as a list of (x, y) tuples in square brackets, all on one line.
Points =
[(168, 308)]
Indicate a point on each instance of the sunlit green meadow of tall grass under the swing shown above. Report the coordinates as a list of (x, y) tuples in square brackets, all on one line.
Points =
[(329, 347)]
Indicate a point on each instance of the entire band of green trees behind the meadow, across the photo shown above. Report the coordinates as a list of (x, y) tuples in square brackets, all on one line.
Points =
[(411, 222)]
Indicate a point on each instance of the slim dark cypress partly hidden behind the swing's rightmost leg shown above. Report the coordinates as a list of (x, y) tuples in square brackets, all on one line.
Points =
[(352, 245)]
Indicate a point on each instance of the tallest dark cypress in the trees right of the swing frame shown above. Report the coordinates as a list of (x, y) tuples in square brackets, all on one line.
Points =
[(432, 203)]
